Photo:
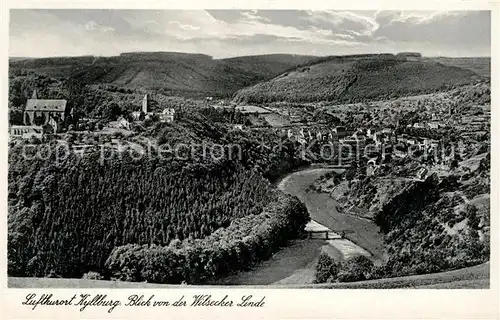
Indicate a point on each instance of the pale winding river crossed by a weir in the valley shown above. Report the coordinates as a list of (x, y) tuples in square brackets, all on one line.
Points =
[(295, 264)]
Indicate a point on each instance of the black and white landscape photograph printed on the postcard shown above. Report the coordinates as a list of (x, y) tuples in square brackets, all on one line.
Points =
[(293, 149)]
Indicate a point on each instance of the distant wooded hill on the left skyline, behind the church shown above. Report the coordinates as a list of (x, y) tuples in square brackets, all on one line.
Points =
[(193, 75)]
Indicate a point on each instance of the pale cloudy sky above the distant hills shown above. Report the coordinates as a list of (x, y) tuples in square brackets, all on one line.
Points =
[(228, 33)]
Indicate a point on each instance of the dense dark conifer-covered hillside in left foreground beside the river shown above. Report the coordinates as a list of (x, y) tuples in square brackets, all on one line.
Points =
[(138, 219)]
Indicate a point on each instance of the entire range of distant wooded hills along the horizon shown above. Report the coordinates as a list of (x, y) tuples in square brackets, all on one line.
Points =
[(268, 77)]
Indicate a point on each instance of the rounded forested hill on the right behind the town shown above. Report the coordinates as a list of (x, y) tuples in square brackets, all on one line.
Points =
[(348, 79)]
